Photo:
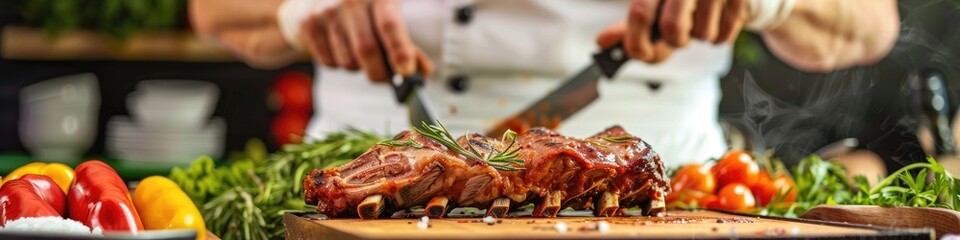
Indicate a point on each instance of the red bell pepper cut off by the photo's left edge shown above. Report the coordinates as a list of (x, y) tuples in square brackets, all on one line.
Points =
[(19, 199)]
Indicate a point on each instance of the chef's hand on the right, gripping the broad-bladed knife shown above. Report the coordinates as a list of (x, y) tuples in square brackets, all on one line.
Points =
[(716, 21)]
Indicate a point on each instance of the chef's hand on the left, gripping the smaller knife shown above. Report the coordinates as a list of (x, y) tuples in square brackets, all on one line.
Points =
[(348, 34)]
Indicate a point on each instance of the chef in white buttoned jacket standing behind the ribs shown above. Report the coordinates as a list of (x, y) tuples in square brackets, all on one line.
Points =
[(488, 60)]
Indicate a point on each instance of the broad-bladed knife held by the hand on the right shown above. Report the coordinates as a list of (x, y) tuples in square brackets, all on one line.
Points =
[(574, 94)]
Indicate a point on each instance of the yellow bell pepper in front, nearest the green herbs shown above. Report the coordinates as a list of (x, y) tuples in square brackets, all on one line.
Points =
[(163, 205)]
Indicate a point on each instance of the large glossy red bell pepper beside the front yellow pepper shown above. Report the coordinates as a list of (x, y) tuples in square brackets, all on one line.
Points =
[(99, 198)]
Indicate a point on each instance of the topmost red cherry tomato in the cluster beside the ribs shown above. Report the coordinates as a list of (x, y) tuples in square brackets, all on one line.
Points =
[(736, 167)]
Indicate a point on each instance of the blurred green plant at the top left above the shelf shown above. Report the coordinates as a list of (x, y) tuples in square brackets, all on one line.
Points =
[(117, 18)]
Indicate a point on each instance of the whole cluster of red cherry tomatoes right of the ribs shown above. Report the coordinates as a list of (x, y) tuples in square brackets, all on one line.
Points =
[(735, 183)]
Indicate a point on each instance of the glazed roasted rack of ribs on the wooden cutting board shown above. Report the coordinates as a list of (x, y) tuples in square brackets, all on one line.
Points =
[(607, 173)]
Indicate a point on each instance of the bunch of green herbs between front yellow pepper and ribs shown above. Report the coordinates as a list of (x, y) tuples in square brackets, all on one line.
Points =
[(247, 197)]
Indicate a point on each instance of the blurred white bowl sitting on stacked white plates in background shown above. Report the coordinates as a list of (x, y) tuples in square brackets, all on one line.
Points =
[(171, 123)]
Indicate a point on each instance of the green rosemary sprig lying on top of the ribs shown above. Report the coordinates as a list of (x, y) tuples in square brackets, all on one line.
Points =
[(505, 160)]
